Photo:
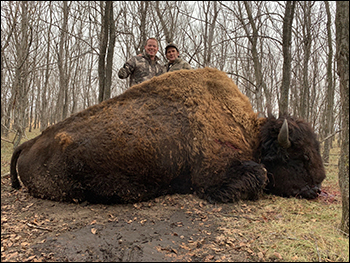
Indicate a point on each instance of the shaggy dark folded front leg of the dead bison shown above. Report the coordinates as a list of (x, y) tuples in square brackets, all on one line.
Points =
[(242, 181)]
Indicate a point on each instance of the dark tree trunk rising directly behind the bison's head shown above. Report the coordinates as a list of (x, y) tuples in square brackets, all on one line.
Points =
[(287, 42)]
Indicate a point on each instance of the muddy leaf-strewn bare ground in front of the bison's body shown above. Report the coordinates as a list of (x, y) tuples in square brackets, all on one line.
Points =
[(168, 228)]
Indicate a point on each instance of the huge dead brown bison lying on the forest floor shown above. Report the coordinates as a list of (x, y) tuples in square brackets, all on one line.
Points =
[(186, 131)]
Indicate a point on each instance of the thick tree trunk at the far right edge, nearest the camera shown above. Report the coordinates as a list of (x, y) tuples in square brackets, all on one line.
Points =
[(342, 56)]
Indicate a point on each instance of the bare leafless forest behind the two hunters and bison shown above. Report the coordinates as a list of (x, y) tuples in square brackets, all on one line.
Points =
[(60, 57)]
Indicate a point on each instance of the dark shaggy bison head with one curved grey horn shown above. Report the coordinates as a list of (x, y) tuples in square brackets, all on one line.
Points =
[(291, 154)]
